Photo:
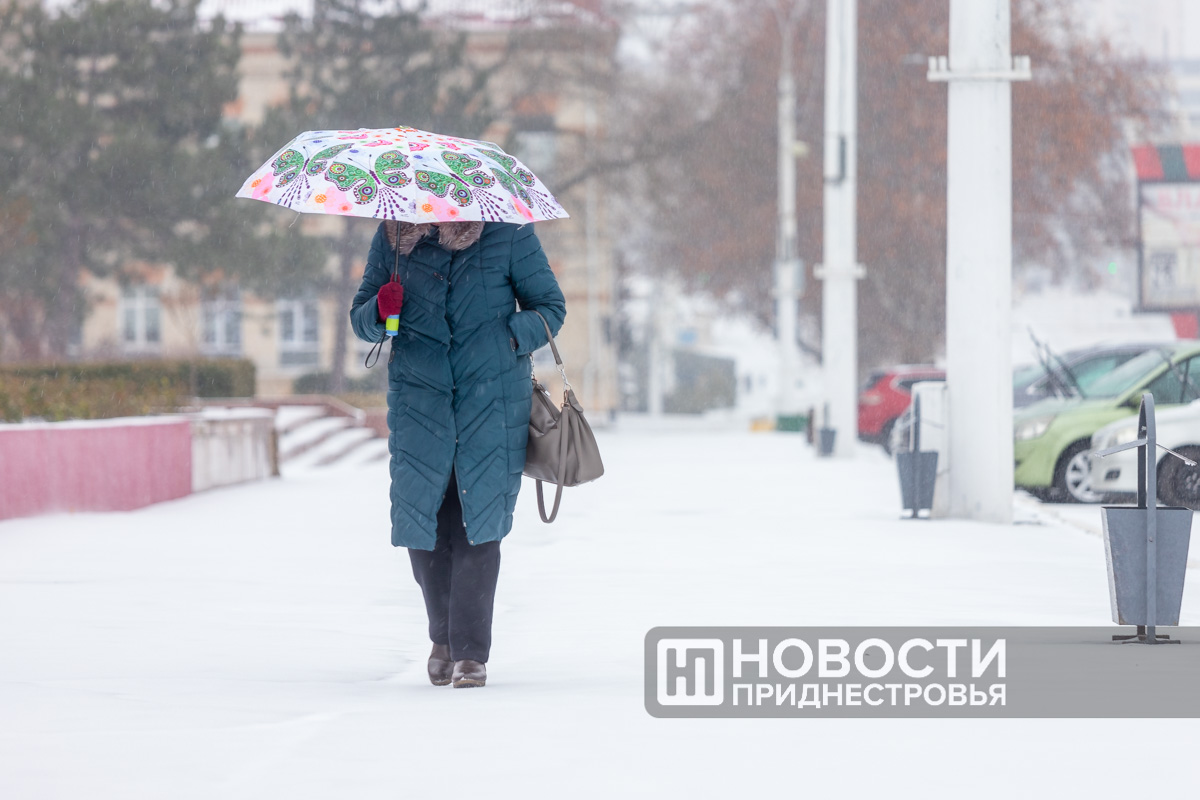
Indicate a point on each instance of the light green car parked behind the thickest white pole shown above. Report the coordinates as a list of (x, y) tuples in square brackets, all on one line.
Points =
[(1053, 438)]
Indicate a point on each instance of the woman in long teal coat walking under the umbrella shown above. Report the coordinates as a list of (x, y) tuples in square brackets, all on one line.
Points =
[(459, 395)]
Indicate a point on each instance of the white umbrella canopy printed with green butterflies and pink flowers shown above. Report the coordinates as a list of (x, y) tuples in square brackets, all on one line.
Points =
[(401, 173)]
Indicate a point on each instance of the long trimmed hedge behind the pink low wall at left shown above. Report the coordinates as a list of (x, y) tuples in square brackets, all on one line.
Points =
[(89, 392)]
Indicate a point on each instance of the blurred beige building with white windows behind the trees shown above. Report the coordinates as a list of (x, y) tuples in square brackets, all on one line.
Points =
[(152, 312)]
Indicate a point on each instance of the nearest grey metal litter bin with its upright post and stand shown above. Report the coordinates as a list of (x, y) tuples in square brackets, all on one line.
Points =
[(1147, 548)]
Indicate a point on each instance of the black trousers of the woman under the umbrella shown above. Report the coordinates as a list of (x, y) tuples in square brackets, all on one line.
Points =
[(459, 584)]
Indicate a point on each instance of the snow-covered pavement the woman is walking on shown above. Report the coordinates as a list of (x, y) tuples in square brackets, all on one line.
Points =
[(267, 641)]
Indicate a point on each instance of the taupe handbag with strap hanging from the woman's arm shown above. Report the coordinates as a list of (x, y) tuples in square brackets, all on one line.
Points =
[(562, 449)]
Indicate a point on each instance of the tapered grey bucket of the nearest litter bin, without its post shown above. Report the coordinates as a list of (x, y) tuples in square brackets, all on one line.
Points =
[(1125, 549)]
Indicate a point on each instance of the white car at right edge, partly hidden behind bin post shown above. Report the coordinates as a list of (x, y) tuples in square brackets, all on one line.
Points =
[(1177, 429)]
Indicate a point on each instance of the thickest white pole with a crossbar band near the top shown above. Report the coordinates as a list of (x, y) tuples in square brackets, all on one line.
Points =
[(980, 260)]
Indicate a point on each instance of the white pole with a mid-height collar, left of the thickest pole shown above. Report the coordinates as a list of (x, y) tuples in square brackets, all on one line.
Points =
[(841, 270)]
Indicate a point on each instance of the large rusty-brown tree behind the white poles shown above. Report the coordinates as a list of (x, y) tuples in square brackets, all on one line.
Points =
[(707, 196)]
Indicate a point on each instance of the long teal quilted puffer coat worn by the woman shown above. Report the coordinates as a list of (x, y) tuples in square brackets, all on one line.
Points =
[(459, 375)]
